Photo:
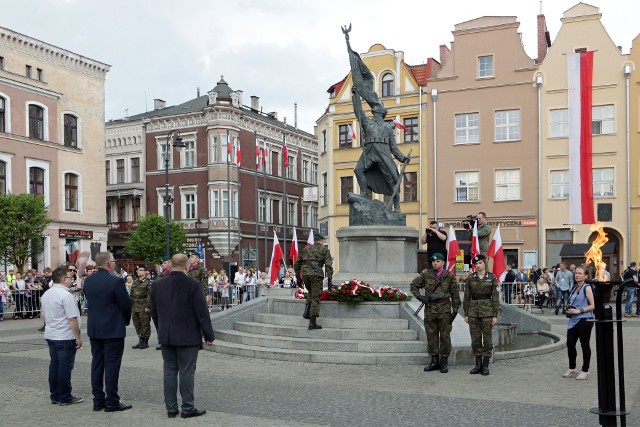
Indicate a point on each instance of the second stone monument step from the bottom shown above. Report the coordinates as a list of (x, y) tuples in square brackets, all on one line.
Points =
[(319, 344)]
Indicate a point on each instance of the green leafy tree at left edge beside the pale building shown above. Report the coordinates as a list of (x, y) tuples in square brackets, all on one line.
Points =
[(24, 219)]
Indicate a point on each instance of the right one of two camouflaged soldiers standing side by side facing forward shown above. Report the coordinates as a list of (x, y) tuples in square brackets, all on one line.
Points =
[(481, 307)]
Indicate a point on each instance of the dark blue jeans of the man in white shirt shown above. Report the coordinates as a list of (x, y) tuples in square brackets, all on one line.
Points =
[(63, 356)]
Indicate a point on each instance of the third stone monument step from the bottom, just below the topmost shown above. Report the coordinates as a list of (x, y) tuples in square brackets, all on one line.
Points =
[(325, 332)]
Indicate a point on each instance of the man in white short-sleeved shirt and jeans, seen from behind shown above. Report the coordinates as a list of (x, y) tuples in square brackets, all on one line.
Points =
[(62, 333)]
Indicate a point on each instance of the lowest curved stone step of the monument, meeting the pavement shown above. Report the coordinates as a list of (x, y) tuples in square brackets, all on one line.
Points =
[(350, 358)]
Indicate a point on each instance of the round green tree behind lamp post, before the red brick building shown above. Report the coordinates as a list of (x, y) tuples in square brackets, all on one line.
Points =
[(148, 240)]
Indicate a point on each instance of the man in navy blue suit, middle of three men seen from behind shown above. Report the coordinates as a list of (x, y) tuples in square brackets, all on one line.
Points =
[(106, 326)]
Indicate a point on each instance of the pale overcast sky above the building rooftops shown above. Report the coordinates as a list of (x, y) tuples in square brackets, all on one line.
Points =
[(283, 51)]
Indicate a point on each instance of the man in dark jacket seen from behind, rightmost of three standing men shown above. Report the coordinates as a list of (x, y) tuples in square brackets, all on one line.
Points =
[(180, 314)]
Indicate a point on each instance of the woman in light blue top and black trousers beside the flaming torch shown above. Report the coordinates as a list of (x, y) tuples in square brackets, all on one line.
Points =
[(580, 308)]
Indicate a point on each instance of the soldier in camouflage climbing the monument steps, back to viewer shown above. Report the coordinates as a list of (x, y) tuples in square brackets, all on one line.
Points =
[(310, 263)]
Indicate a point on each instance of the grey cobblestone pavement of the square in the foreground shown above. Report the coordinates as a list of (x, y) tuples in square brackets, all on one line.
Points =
[(238, 391)]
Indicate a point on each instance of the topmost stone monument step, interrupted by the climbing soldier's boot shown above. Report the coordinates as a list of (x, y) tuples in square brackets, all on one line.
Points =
[(333, 323)]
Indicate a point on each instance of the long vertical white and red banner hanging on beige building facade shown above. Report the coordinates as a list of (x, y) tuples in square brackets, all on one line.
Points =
[(579, 79)]
